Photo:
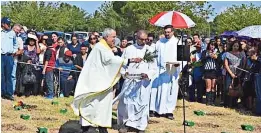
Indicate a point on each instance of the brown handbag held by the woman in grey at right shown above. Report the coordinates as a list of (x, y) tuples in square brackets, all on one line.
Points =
[(235, 88)]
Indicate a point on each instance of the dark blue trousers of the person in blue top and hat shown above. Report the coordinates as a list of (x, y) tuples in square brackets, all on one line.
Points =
[(66, 85)]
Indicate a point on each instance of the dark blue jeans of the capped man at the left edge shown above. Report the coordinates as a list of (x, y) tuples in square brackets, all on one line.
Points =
[(7, 63)]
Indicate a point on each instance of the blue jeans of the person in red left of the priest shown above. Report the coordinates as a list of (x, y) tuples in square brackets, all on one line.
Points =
[(49, 83)]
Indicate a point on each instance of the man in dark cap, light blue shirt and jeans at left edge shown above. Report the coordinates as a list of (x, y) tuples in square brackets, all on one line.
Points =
[(8, 48)]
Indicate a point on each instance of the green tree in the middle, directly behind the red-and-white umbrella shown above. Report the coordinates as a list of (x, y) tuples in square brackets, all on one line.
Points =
[(128, 16)]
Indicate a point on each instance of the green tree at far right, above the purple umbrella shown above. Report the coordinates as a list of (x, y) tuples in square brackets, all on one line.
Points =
[(237, 17)]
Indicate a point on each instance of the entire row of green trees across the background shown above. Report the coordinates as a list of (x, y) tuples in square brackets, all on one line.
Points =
[(127, 16)]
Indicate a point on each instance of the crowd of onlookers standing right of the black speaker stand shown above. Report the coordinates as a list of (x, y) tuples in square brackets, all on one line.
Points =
[(225, 69)]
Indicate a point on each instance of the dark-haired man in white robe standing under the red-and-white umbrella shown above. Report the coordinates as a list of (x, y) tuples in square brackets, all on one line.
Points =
[(165, 87)]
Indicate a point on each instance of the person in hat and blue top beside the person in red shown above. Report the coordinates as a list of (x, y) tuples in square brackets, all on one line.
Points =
[(65, 64)]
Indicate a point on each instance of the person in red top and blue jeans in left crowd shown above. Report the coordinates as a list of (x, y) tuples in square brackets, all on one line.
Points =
[(49, 62)]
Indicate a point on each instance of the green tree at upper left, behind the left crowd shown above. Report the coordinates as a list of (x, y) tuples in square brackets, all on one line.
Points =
[(46, 15)]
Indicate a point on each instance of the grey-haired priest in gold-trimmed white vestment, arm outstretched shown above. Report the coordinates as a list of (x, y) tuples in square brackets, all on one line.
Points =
[(93, 93)]
